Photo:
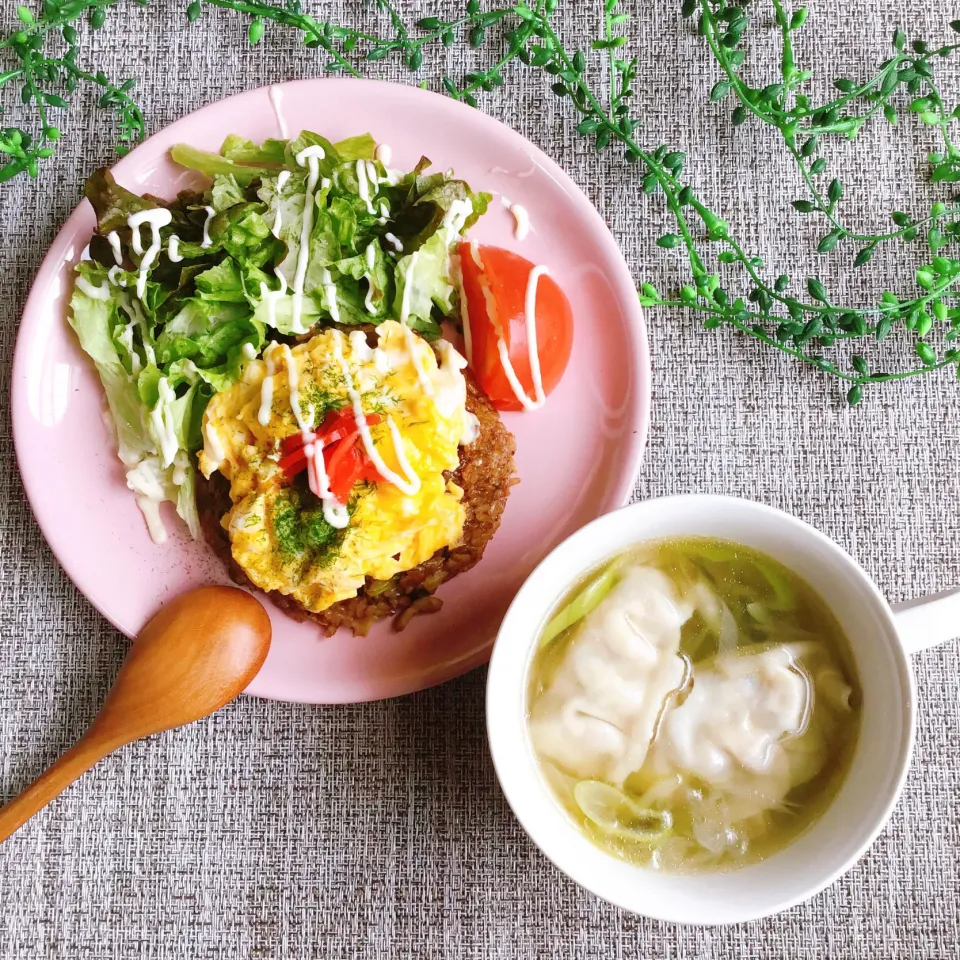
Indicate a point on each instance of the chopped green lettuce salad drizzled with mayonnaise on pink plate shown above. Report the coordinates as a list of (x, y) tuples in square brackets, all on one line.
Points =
[(171, 313)]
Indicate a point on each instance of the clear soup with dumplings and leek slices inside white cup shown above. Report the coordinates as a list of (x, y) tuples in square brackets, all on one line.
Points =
[(693, 705)]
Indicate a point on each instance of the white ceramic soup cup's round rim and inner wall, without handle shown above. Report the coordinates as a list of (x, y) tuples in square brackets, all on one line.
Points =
[(865, 800)]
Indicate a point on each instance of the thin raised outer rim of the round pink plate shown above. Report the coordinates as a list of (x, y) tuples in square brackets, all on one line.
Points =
[(53, 265)]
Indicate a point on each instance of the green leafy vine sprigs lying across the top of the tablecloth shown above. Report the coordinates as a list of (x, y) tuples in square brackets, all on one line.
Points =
[(801, 319)]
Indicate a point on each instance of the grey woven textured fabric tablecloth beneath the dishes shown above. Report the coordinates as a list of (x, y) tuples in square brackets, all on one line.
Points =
[(281, 831)]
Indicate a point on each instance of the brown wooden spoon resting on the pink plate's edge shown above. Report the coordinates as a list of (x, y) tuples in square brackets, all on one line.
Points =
[(196, 655)]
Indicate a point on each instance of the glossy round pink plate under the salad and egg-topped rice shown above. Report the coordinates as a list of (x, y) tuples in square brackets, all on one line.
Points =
[(576, 457)]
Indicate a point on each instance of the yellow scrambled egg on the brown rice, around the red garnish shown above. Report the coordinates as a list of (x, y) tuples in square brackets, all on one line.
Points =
[(276, 526)]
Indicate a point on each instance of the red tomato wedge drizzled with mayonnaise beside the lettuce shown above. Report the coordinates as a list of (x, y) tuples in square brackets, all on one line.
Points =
[(495, 282)]
